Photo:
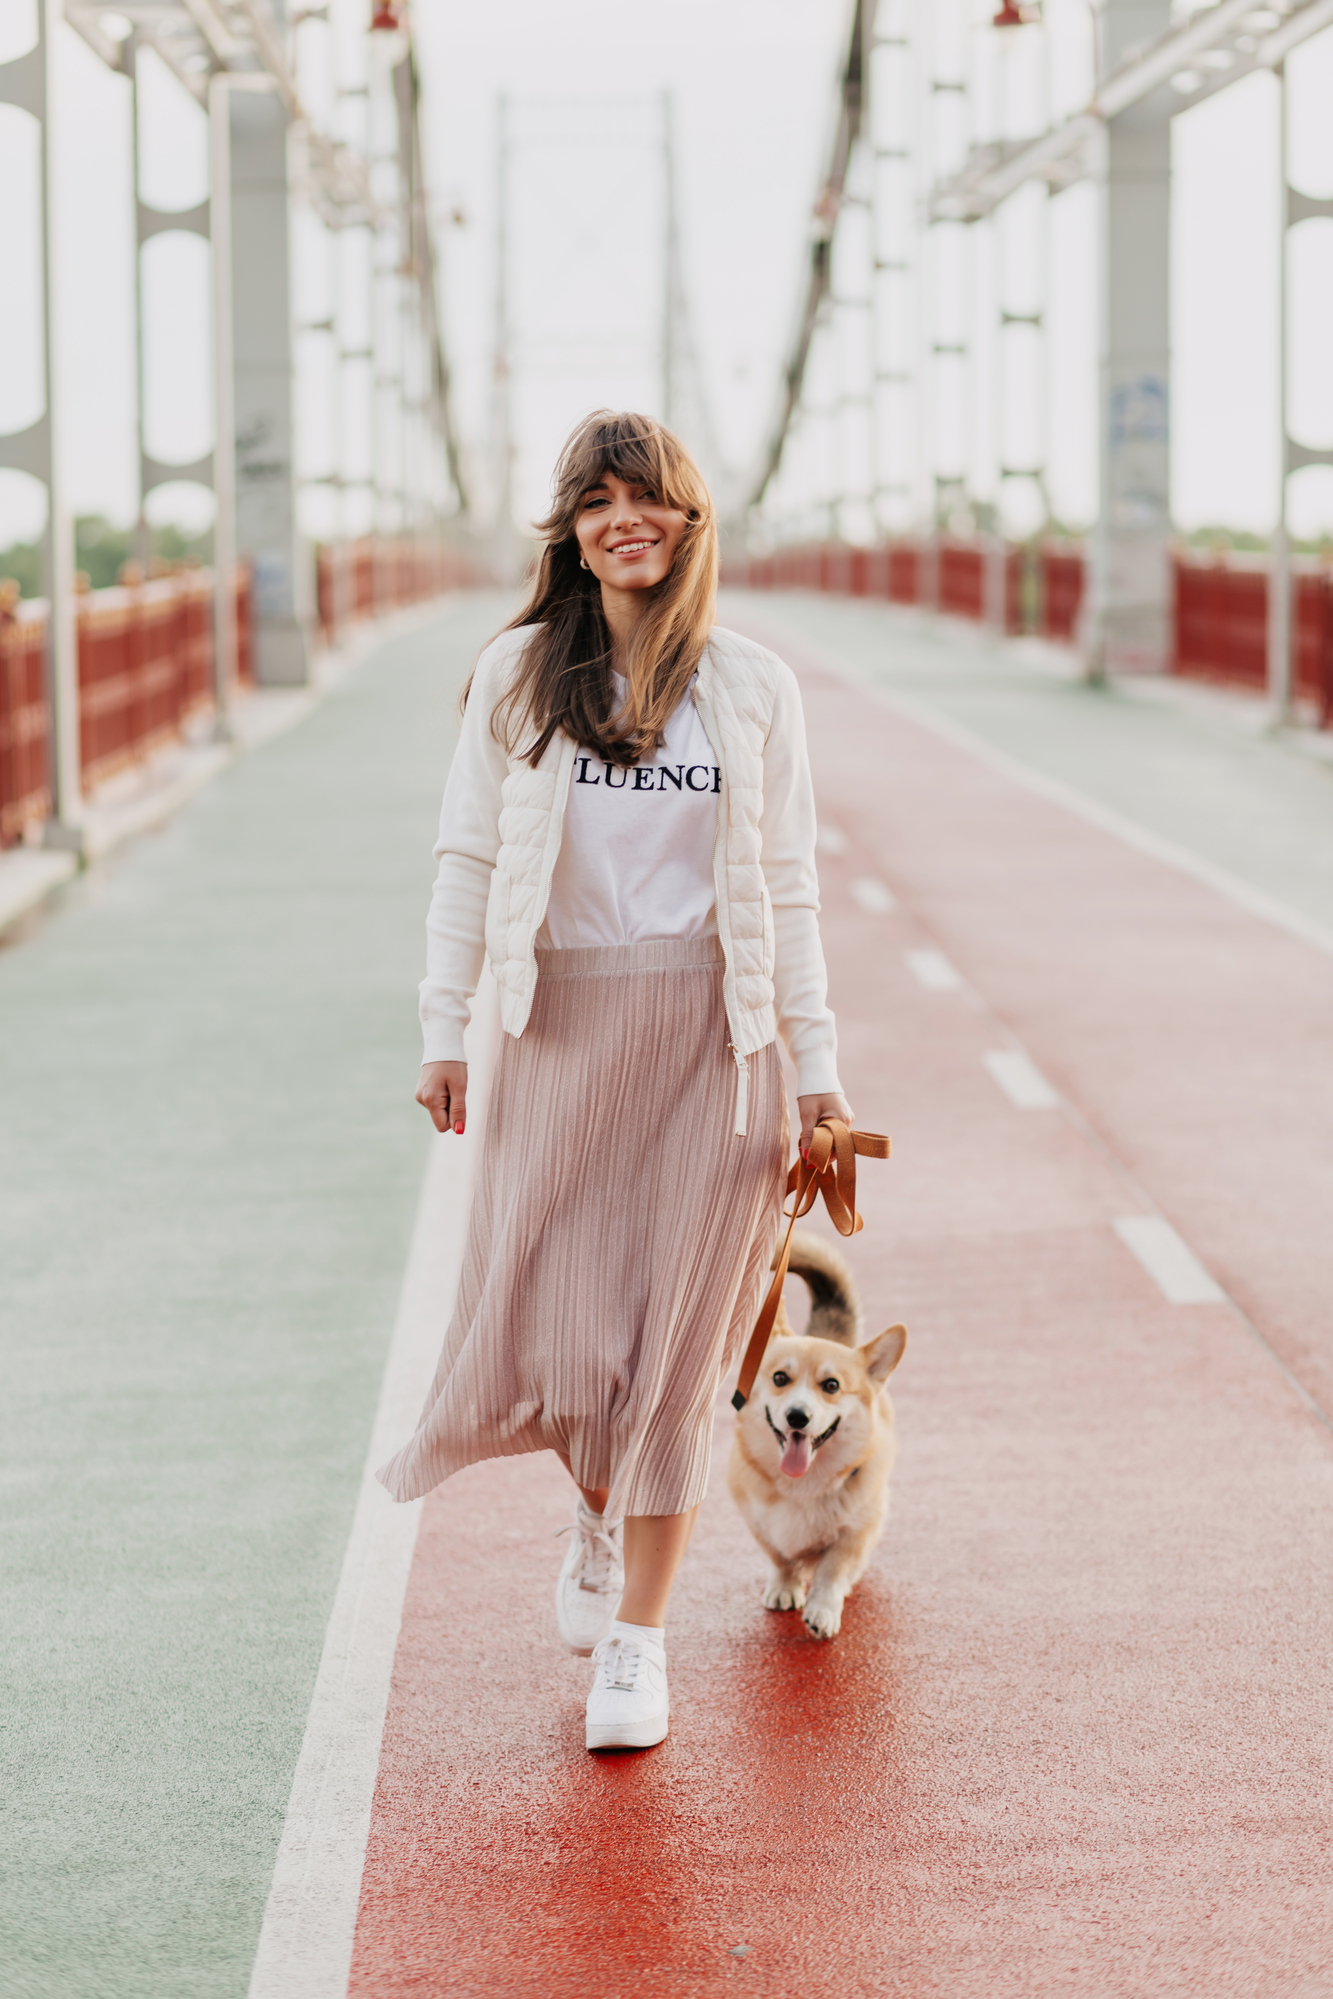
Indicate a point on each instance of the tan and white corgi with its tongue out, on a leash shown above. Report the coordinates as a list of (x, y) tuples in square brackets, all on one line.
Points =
[(814, 1446)]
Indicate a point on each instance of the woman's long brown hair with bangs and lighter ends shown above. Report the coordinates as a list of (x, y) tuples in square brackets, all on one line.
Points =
[(565, 681)]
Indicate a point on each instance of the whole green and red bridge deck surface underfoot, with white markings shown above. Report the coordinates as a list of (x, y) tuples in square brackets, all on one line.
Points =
[(275, 1736)]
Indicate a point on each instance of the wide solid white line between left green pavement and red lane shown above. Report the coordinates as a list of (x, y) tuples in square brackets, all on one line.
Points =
[(309, 1928)]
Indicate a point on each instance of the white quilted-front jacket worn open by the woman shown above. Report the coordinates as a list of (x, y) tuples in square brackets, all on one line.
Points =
[(501, 831)]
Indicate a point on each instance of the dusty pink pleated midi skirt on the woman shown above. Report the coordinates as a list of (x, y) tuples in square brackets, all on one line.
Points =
[(621, 1232)]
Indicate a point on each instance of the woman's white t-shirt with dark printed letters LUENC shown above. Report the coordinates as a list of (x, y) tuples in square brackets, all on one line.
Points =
[(637, 859)]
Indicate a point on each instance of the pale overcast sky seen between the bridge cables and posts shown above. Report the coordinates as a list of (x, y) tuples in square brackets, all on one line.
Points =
[(752, 93)]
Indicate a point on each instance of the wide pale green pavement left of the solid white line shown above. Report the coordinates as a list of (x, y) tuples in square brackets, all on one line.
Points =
[(209, 1172)]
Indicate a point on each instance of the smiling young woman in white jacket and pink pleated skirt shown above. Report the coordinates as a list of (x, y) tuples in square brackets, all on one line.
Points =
[(629, 831)]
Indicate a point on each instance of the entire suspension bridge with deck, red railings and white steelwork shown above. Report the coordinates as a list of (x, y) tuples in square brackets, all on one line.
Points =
[(271, 1736)]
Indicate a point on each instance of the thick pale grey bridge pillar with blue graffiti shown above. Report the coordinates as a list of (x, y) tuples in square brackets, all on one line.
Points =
[(1130, 599)]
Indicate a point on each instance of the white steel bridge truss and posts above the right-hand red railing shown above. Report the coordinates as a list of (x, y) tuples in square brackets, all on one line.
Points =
[(882, 379)]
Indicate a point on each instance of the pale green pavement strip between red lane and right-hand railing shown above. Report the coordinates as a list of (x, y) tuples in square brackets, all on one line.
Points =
[(1186, 769)]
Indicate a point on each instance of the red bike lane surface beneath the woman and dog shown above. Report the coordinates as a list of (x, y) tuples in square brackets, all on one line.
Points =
[(1074, 1732)]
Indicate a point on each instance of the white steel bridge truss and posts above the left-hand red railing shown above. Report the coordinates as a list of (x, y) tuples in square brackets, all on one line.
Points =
[(267, 153)]
